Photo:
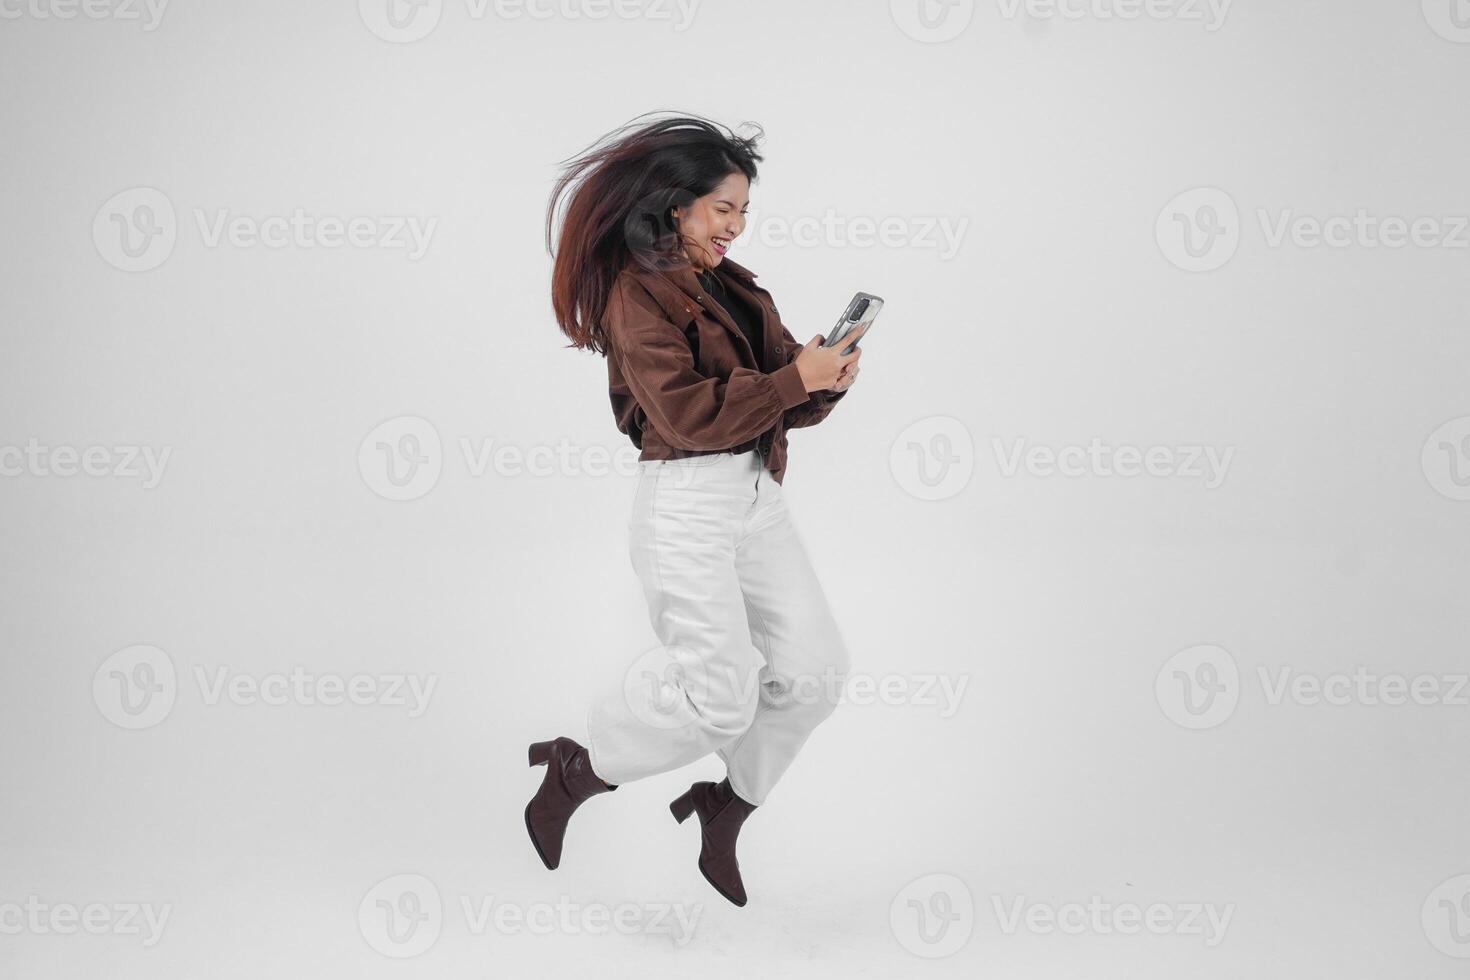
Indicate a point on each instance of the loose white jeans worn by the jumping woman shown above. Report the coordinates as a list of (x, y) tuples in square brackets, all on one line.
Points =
[(750, 657)]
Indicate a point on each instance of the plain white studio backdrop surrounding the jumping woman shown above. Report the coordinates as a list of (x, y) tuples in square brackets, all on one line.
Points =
[(1337, 540)]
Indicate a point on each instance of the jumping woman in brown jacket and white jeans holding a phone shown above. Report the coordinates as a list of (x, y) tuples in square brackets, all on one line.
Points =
[(705, 380)]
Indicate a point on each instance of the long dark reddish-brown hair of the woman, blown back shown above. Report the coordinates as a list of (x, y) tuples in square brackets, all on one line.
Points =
[(618, 199)]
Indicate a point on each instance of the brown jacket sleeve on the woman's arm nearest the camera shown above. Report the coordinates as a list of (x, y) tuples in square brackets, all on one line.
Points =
[(692, 411)]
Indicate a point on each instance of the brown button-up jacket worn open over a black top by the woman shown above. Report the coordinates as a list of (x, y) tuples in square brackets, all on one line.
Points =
[(684, 380)]
